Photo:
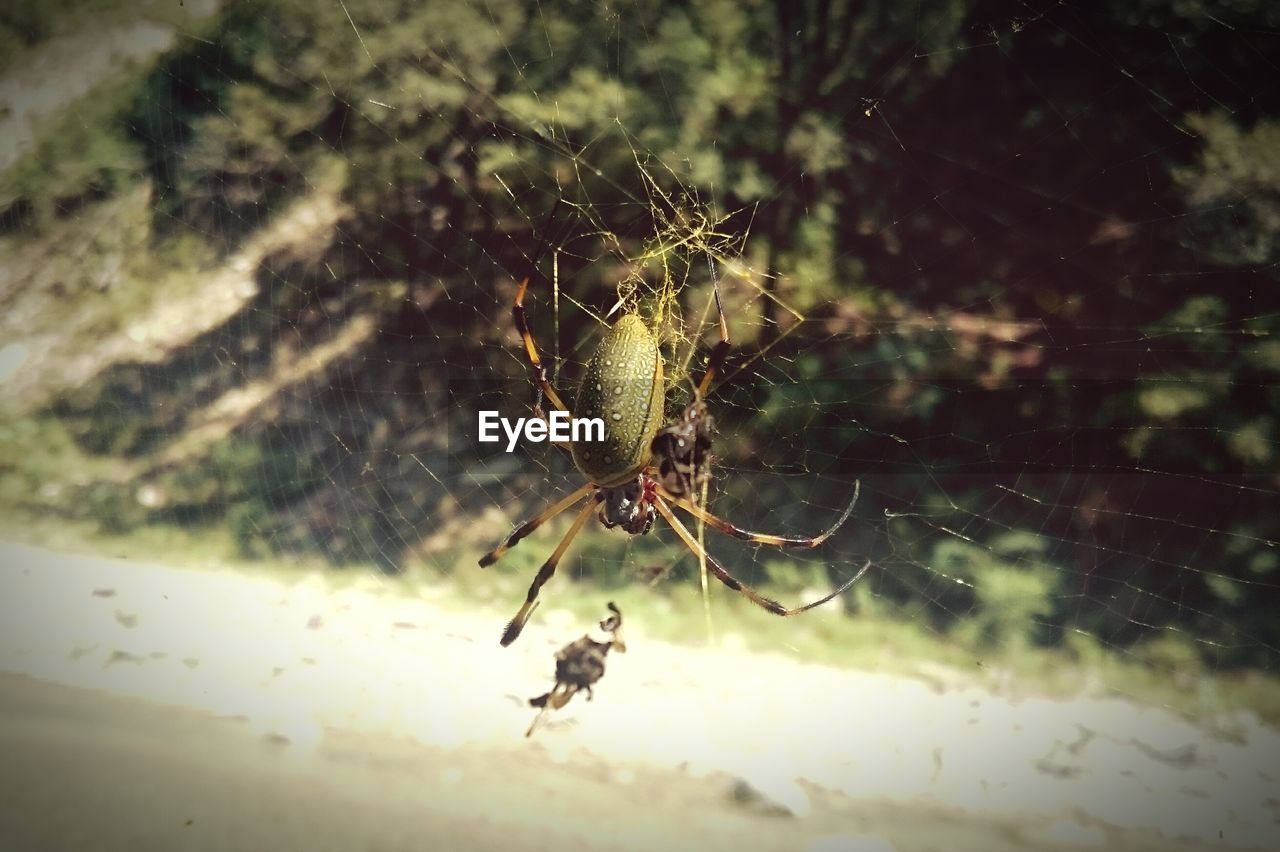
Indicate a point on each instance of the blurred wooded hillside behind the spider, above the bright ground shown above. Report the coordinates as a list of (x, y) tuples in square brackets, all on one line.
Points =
[(1012, 267)]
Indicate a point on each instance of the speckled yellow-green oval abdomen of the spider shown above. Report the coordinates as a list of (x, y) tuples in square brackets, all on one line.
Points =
[(624, 388)]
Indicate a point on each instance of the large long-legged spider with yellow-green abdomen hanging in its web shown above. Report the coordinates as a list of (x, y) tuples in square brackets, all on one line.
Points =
[(642, 469)]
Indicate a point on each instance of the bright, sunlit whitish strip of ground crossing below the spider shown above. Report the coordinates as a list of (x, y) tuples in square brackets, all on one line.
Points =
[(304, 662)]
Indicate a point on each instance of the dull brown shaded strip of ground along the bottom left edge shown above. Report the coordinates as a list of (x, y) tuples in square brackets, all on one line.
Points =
[(90, 771)]
